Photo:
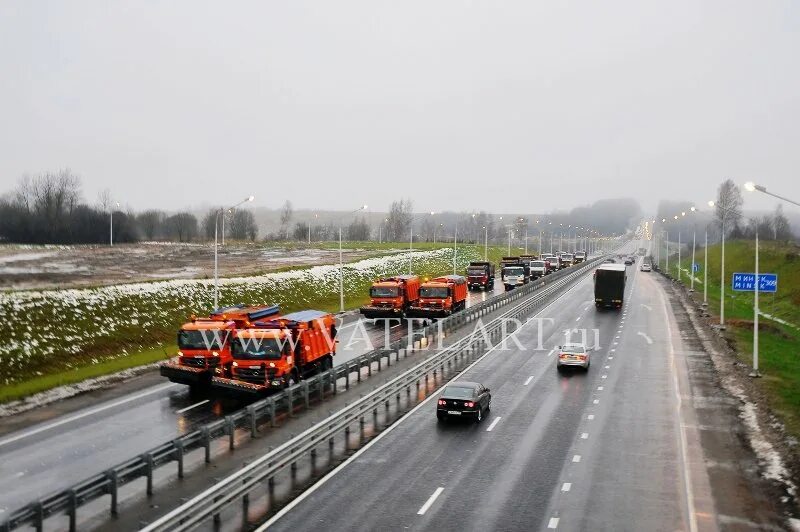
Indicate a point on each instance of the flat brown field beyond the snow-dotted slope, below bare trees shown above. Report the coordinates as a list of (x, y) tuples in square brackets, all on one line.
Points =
[(81, 266)]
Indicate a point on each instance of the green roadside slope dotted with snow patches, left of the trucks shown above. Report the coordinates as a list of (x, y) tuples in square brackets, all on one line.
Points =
[(57, 337)]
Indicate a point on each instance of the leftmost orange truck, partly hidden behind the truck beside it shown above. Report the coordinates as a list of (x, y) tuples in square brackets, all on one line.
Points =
[(204, 343)]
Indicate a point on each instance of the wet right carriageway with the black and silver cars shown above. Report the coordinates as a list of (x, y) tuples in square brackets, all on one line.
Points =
[(602, 450)]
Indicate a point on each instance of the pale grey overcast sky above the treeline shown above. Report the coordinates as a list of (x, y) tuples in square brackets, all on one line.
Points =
[(521, 106)]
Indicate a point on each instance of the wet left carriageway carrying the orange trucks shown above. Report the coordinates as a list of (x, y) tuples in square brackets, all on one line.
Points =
[(66, 442)]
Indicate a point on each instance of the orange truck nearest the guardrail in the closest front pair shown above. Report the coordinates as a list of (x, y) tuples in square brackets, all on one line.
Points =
[(276, 353)]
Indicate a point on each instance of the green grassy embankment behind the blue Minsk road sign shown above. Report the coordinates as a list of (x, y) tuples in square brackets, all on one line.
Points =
[(779, 344)]
